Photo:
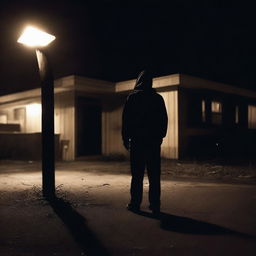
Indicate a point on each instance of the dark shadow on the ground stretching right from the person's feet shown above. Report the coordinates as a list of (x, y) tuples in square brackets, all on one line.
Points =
[(190, 226)]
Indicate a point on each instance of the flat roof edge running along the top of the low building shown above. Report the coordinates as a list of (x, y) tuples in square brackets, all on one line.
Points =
[(174, 81)]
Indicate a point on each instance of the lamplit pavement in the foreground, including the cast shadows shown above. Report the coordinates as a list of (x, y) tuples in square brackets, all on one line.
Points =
[(89, 217)]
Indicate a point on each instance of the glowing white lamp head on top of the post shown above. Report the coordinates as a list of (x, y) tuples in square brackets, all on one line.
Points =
[(34, 37)]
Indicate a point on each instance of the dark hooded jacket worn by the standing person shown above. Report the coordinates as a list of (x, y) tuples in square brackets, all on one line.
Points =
[(144, 114)]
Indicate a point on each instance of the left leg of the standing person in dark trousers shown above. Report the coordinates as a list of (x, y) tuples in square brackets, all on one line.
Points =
[(137, 160)]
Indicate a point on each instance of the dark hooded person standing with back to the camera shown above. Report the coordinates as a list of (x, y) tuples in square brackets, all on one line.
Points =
[(144, 127)]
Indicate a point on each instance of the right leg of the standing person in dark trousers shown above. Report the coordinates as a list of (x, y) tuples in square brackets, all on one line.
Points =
[(154, 171)]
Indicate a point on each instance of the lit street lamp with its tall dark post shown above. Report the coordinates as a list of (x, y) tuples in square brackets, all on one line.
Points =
[(37, 39)]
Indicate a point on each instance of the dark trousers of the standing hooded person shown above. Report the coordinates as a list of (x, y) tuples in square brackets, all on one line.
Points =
[(145, 155)]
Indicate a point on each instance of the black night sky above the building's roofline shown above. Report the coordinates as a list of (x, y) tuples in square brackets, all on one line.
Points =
[(111, 41)]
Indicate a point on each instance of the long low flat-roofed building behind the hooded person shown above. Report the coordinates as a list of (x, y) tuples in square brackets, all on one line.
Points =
[(204, 118)]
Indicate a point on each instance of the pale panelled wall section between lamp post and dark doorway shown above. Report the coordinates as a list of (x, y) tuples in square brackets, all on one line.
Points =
[(65, 123)]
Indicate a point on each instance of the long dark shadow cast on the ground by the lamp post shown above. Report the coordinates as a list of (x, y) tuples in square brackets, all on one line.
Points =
[(77, 226)]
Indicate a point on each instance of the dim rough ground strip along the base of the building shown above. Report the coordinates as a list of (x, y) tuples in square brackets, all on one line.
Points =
[(214, 170)]
